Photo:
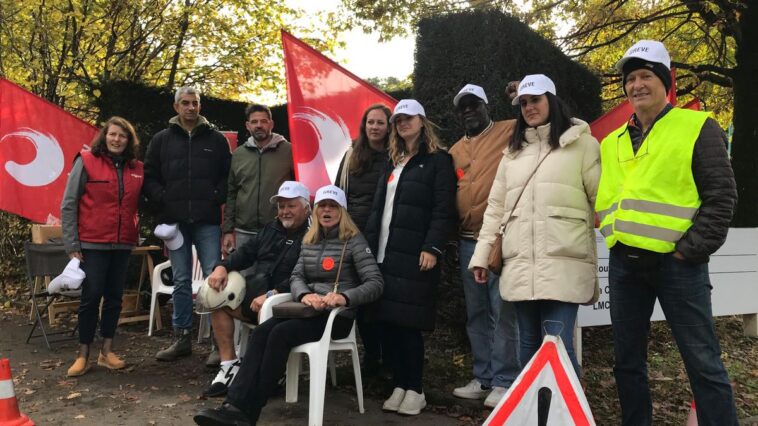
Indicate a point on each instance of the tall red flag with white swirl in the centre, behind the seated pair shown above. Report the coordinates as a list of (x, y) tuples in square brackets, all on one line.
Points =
[(325, 106)]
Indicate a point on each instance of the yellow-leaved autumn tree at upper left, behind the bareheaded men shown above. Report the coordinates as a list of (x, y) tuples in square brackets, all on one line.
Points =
[(64, 50)]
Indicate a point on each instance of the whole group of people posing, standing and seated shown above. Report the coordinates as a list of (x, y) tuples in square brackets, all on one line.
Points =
[(661, 187)]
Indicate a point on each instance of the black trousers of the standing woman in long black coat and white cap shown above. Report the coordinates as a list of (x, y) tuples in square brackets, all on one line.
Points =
[(406, 347)]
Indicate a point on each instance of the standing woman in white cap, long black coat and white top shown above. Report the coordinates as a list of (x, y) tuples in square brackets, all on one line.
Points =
[(412, 218)]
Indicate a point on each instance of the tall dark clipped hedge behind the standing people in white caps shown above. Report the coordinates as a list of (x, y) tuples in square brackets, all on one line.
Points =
[(489, 48)]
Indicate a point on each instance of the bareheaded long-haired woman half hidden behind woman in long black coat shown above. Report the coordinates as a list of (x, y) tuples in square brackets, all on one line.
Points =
[(360, 170)]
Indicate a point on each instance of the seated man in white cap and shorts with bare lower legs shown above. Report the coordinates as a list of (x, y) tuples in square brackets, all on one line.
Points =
[(272, 254)]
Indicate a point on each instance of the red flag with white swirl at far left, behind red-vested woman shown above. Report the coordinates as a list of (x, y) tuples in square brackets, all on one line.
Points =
[(38, 142)]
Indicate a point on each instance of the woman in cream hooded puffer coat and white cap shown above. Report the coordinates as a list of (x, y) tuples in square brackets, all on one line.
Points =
[(549, 251)]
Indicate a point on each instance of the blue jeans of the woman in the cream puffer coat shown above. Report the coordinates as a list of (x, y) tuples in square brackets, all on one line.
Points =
[(539, 317)]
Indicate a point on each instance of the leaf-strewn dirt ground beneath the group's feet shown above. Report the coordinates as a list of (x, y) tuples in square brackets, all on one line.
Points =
[(151, 393)]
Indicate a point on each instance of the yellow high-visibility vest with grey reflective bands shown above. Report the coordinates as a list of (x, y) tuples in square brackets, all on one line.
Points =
[(649, 199)]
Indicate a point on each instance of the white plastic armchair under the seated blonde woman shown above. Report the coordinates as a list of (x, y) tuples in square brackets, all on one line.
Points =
[(318, 355)]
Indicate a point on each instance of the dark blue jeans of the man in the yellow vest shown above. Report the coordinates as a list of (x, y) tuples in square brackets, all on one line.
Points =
[(684, 292)]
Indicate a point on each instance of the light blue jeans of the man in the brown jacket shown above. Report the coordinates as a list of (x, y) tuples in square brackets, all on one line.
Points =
[(491, 326)]
